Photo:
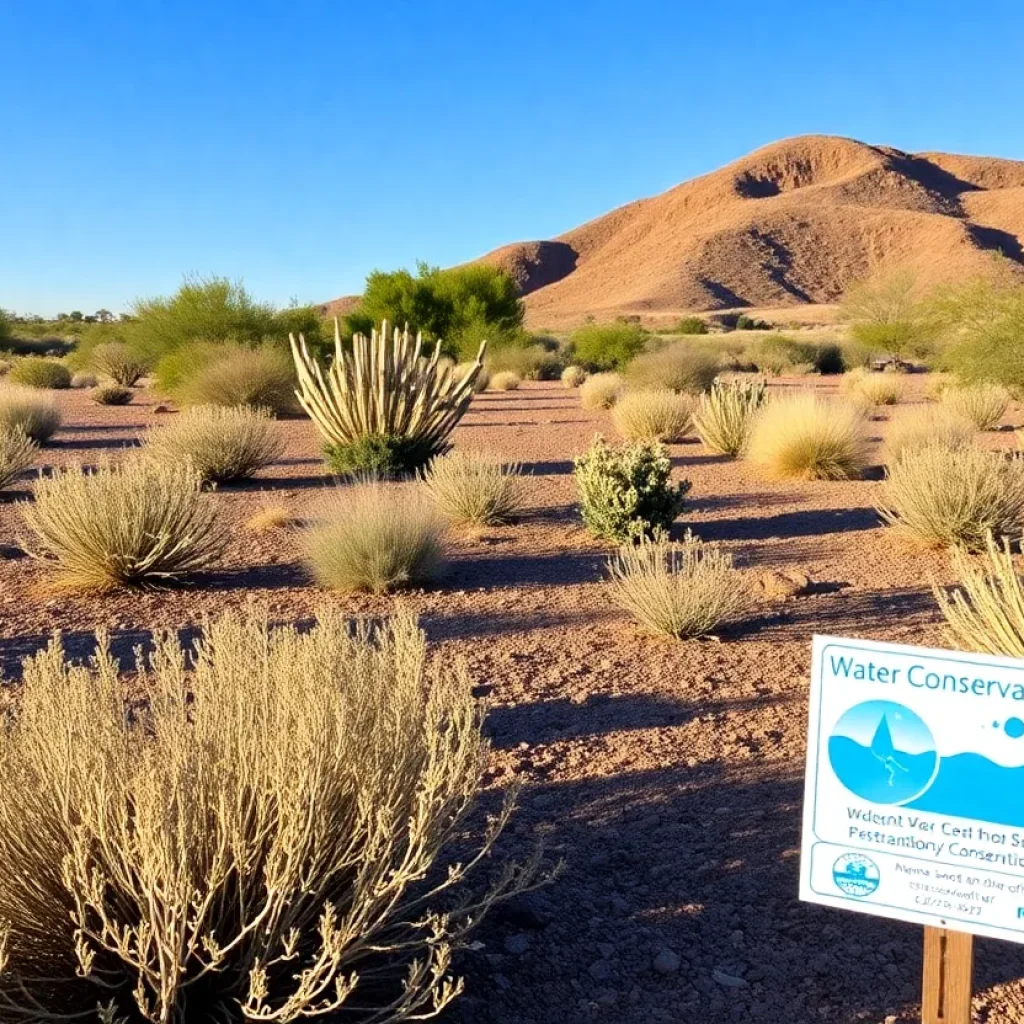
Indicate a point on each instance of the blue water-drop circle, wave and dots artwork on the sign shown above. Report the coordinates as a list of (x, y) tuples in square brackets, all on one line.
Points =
[(883, 752)]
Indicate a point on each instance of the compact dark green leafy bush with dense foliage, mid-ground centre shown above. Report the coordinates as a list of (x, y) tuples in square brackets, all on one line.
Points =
[(625, 493)]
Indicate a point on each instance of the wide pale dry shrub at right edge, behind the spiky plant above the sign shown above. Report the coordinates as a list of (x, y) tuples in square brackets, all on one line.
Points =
[(940, 497)]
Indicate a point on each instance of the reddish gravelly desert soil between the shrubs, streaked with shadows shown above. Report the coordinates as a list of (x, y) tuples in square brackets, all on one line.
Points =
[(667, 775)]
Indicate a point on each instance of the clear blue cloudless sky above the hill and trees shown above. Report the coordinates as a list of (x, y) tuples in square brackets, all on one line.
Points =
[(298, 145)]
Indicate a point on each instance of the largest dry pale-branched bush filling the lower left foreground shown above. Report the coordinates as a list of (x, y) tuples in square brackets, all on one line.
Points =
[(266, 839)]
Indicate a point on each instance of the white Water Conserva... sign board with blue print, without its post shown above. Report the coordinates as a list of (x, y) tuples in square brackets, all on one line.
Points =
[(914, 801)]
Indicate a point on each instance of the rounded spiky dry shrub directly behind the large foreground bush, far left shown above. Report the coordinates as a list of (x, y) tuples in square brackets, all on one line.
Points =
[(137, 524)]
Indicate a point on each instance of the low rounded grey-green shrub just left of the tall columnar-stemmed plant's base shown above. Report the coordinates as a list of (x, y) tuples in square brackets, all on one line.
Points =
[(221, 444)]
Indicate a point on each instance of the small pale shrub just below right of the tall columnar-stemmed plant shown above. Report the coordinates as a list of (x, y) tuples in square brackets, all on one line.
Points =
[(476, 490)]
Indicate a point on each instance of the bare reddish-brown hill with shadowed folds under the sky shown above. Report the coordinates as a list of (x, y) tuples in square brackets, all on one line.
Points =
[(792, 224)]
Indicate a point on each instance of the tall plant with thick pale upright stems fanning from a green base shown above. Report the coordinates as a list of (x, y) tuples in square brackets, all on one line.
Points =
[(383, 408)]
